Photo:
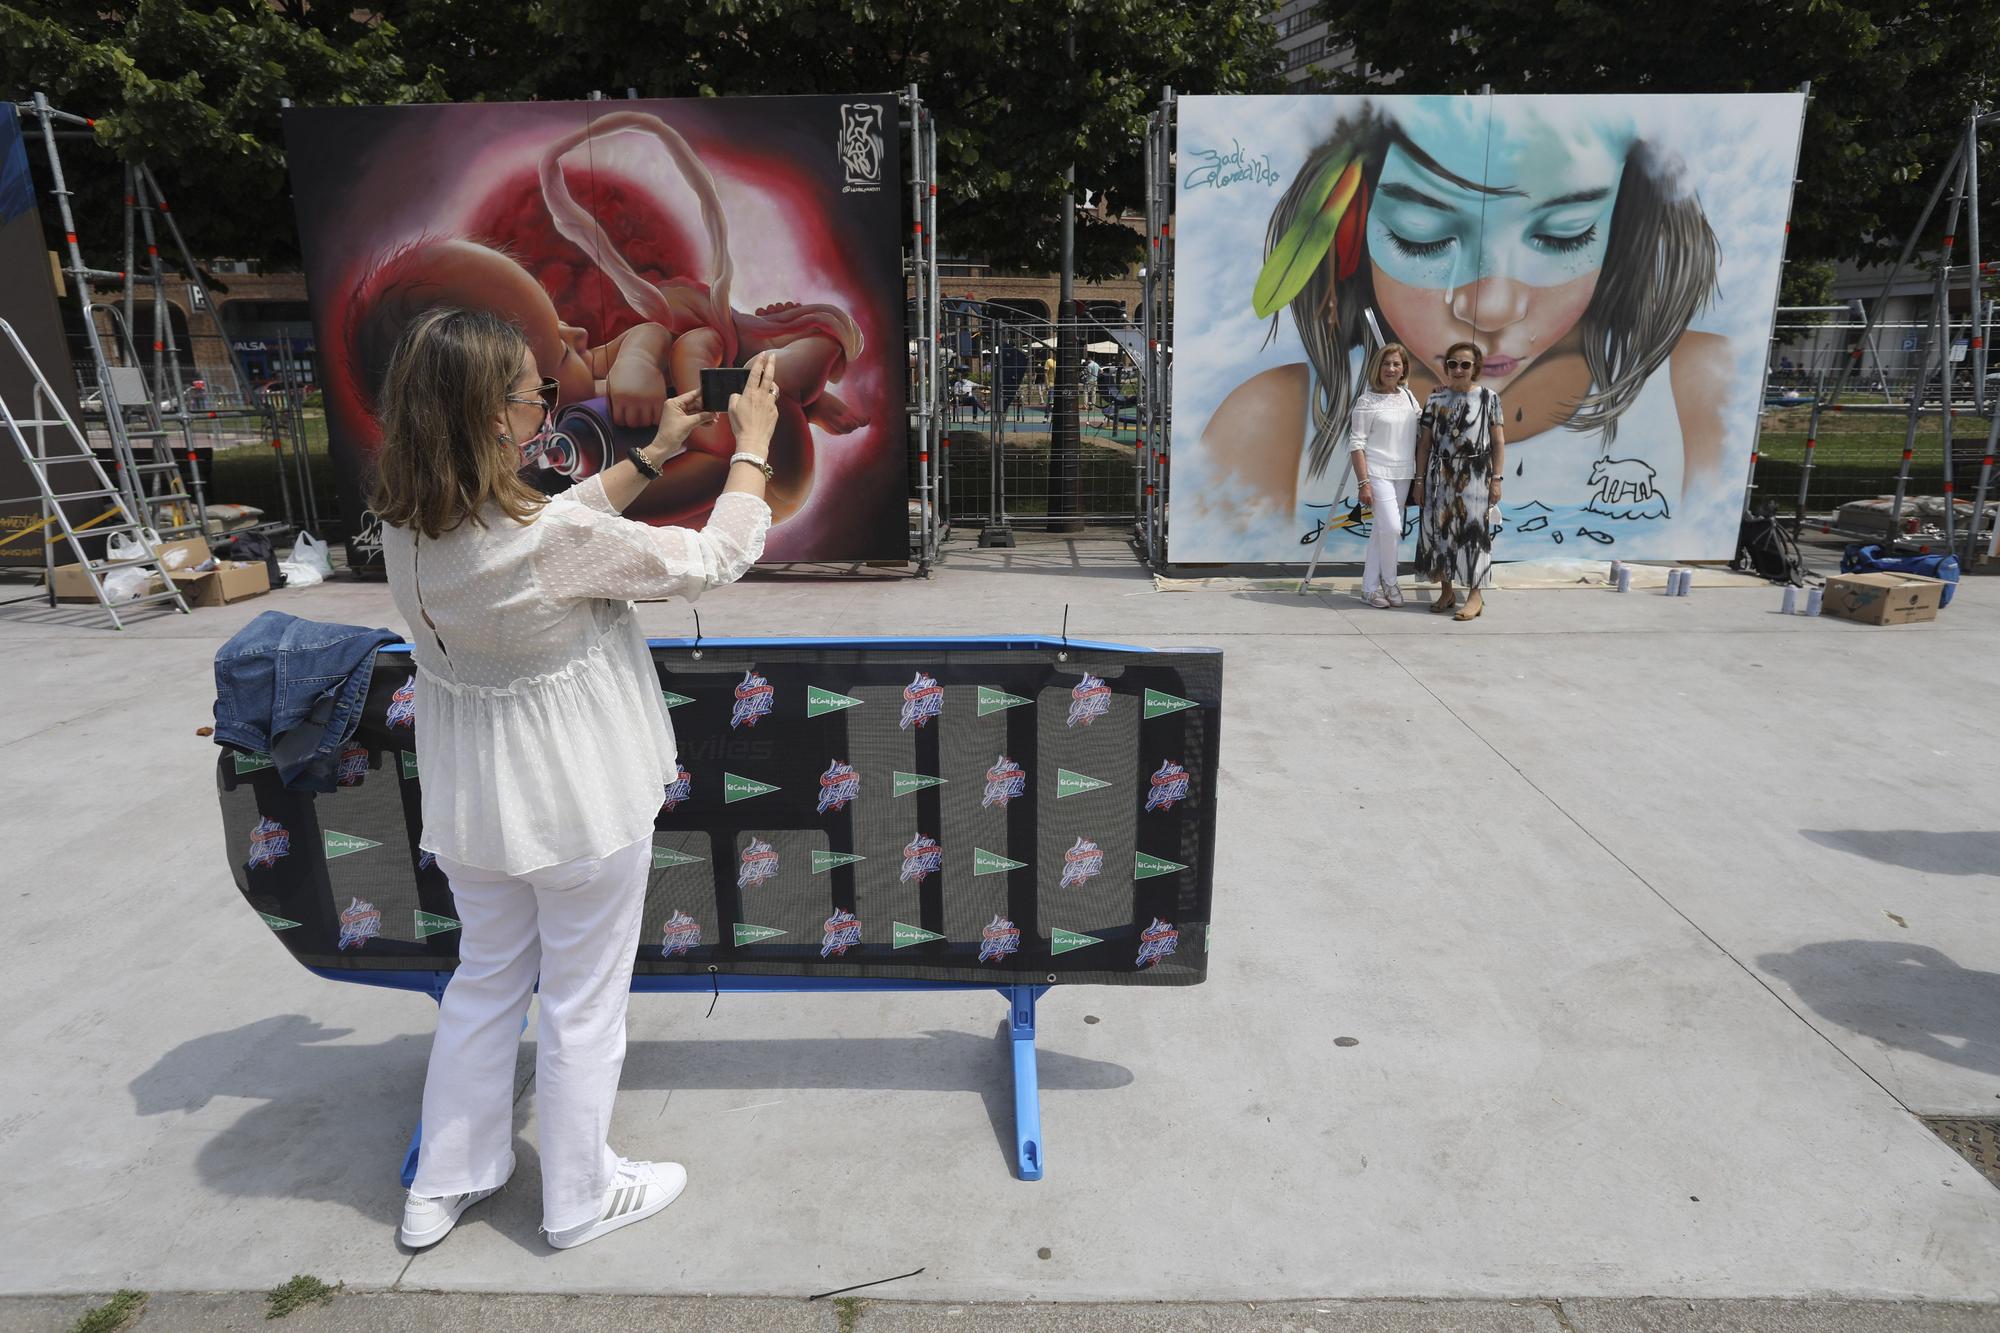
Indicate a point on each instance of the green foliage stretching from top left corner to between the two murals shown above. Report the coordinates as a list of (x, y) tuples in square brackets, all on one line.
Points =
[(195, 89)]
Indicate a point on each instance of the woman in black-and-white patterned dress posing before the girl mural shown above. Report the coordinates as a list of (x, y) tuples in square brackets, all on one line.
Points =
[(1461, 455)]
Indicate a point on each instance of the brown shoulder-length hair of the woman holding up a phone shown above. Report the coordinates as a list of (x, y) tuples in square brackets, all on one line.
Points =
[(441, 457)]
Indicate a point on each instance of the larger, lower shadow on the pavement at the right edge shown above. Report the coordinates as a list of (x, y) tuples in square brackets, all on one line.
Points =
[(1911, 998)]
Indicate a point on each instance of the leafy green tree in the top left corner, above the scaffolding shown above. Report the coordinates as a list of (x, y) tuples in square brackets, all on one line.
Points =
[(193, 91)]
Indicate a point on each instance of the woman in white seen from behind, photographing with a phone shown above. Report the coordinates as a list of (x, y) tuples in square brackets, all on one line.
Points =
[(543, 748)]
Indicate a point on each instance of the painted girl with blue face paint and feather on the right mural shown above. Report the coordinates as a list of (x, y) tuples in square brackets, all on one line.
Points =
[(1571, 251)]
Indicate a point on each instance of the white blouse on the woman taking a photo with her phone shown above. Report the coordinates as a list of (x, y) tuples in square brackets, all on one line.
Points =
[(541, 736)]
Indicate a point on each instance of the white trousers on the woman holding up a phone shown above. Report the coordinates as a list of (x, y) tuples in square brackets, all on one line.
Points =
[(575, 926)]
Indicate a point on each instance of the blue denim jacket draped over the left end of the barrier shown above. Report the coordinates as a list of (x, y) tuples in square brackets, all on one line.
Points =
[(295, 690)]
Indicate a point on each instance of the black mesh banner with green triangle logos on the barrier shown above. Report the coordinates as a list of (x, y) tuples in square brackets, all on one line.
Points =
[(931, 812)]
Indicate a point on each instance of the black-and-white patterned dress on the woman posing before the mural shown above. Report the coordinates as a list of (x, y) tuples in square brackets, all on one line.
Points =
[(1455, 541)]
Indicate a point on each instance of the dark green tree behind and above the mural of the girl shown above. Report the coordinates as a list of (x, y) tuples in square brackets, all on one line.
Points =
[(1891, 81)]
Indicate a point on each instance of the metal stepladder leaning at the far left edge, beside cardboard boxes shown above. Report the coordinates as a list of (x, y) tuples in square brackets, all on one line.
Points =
[(69, 475)]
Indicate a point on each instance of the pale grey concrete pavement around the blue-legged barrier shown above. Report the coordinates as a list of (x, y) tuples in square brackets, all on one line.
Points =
[(1657, 924)]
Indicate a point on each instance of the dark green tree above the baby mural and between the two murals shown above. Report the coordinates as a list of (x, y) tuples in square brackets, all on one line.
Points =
[(1013, 111)]
